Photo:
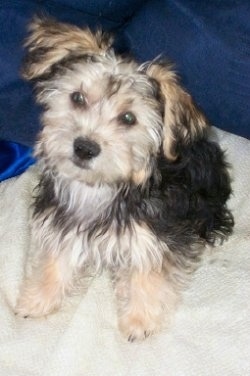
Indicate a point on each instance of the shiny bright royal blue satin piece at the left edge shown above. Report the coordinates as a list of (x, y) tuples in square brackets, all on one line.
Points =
[(14, 159)]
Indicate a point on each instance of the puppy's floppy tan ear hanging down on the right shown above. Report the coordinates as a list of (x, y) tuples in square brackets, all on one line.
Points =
[(183, 121)]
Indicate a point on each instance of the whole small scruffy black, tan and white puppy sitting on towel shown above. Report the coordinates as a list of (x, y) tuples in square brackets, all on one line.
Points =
[(129, 180)]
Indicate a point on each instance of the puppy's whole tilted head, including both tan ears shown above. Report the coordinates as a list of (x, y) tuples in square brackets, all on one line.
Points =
[(106, 118)]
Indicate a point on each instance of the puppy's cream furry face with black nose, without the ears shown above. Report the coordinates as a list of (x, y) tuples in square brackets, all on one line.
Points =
[(103, 121)]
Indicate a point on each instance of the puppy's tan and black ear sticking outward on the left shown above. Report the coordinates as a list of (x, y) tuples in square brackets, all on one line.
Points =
[(50, 41)]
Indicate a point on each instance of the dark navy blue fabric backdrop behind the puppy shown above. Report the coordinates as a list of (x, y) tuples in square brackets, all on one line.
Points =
[(209, 41)]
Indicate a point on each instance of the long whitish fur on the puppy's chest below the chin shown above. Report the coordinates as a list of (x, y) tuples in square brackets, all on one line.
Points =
[(133, 246)]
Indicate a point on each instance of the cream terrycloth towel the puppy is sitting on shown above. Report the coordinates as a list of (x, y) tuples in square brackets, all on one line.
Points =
[(211, 332)]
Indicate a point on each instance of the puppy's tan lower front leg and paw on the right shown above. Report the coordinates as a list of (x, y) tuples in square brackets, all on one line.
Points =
[(144, 299)]
